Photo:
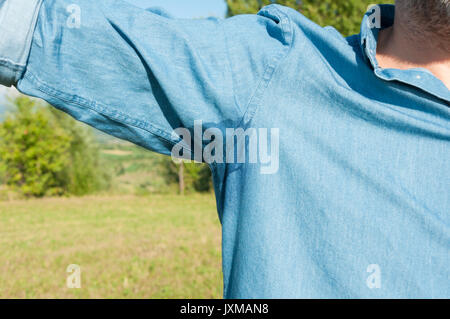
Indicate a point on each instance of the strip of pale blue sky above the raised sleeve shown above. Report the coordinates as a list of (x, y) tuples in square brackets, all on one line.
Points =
[(186, 8)]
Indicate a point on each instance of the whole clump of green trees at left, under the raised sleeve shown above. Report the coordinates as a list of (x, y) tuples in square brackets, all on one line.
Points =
[(44, 152)]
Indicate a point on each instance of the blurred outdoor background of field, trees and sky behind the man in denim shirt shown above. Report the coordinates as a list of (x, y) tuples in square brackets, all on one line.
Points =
[(137, 224)]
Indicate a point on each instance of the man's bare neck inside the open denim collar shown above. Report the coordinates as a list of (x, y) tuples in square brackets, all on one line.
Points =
[(400, 47)]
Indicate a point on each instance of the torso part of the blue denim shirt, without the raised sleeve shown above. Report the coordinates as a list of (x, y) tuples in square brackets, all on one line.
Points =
[(359, 207)]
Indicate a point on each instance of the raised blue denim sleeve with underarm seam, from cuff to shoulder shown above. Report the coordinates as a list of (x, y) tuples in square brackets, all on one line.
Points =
[(138, 75)]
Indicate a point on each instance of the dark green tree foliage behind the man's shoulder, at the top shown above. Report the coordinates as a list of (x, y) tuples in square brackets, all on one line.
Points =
[(344, 15)]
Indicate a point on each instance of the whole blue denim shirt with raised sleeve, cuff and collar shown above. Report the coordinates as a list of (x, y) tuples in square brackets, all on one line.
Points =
[(359, 206)]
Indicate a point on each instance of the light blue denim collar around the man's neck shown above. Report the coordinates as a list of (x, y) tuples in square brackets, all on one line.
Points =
[(380, 17)]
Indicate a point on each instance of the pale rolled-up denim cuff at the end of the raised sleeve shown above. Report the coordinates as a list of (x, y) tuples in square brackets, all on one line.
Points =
[(17, 23)]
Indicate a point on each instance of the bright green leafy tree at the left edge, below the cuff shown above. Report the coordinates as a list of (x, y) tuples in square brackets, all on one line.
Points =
[(33, 154)]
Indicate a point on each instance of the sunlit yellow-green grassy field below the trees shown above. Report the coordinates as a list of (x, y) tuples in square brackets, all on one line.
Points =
[(157, 246)]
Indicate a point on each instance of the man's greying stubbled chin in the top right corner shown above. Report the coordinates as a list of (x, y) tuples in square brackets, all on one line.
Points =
[(428, 19)]
